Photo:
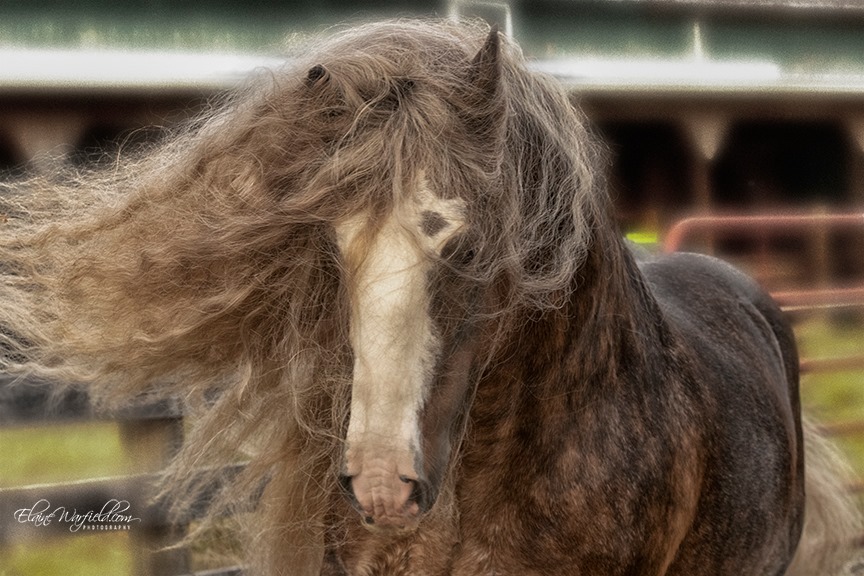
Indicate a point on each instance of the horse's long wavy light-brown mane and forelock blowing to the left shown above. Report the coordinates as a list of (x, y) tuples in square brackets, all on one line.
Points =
[(206, 269)]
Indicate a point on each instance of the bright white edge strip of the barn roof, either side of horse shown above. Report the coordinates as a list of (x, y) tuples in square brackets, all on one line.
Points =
[(118, 70)]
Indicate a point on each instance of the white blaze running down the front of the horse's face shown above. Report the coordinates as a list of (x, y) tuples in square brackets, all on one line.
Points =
[(392, 336)]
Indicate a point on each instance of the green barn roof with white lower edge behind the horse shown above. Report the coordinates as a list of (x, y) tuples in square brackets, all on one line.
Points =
[(715, 46)]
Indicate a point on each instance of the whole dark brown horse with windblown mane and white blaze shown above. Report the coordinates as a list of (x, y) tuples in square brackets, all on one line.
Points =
[(387, 278)]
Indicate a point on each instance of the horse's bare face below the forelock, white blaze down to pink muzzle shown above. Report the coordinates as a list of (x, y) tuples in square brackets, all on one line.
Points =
[(412, 348)]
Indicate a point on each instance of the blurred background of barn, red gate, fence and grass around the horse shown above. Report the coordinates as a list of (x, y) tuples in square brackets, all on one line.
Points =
[(736, 127)]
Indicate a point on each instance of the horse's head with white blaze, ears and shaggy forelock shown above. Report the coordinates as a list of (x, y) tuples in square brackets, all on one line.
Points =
[(451, 179)]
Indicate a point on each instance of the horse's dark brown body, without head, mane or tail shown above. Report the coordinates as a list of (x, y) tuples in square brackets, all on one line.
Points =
[(600, 445)]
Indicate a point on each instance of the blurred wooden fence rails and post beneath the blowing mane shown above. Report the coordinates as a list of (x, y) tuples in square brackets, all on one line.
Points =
[(151, 434)]
